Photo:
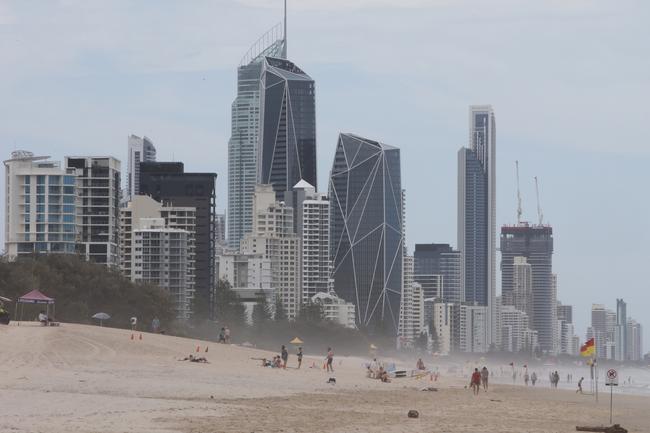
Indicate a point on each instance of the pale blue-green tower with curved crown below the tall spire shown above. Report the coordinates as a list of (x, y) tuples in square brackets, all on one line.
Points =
[(245, 121)]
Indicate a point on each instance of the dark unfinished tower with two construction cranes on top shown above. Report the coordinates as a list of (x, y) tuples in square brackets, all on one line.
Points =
[(535, 243)]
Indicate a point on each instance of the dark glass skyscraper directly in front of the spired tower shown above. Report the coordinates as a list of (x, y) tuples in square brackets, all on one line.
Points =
[(287, 139)]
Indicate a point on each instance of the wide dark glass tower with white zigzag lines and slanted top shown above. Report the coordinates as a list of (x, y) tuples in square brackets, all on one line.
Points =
[(366, 235)]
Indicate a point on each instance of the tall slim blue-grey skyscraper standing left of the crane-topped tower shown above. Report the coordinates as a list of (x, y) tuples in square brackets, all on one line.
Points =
[(477, 214)]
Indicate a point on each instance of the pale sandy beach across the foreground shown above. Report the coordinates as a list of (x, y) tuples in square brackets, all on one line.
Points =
[(88, 379)]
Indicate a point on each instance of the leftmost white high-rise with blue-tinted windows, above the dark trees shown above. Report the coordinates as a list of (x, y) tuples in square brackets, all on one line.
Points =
[(41, 212)]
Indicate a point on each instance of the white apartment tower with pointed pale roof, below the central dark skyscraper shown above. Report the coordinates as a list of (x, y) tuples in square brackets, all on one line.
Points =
[(311, 221)]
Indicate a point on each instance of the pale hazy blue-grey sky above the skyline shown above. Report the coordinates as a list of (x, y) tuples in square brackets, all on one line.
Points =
[(569, 81)]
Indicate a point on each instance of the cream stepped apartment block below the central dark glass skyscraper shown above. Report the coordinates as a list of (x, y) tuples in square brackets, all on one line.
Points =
[(273, 236)]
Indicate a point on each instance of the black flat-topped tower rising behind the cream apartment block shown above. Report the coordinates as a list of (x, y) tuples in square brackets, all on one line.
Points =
[(168, 182)]
